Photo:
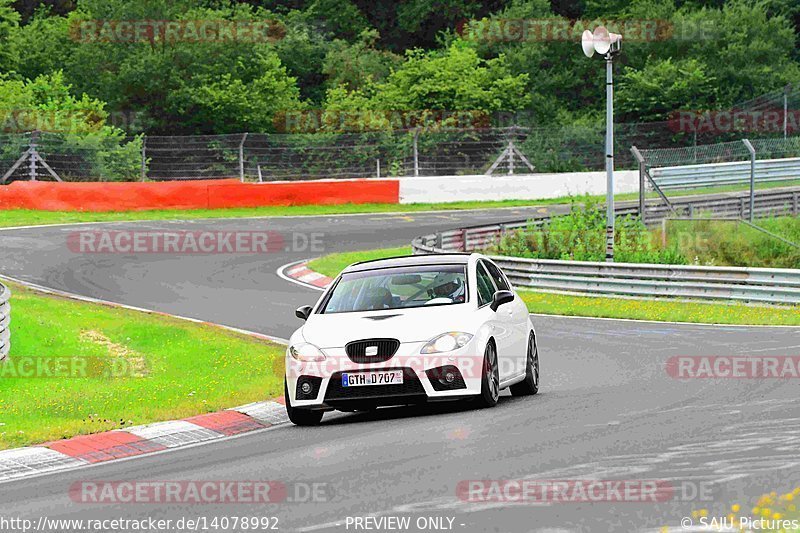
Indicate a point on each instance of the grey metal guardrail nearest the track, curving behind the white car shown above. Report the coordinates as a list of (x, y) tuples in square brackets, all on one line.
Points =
[(780, 286)]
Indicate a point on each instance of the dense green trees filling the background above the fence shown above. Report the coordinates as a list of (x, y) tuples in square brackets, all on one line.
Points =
[(407, 55)]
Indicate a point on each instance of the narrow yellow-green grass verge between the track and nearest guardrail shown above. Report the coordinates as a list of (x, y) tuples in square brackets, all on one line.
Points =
[(604, 307)]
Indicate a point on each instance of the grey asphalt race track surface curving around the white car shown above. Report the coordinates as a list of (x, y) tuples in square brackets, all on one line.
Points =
[(607, 408)]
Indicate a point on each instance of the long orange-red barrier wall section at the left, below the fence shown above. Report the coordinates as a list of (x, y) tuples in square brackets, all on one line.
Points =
[(214, 194)]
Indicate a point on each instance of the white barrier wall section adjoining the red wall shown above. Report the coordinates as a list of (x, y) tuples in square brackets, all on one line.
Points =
[(514, 187)]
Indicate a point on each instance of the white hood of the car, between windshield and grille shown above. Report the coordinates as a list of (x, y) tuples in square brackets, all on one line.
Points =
[(406, 325)]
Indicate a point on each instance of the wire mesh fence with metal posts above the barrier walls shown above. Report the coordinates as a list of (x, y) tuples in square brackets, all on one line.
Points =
[(397, 153)]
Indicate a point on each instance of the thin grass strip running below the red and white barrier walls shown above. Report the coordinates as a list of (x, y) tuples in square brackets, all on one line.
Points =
[(24, 217)]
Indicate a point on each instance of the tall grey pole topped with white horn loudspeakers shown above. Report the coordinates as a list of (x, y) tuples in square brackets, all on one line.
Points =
[(606, 44)]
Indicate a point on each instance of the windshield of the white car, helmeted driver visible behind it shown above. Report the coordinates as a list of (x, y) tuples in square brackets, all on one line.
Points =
[(398, 288)]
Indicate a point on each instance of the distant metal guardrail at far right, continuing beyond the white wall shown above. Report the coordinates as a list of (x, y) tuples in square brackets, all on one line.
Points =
[(688, 176)]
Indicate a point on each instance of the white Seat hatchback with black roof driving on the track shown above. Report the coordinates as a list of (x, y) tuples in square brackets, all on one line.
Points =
[(409, 330)]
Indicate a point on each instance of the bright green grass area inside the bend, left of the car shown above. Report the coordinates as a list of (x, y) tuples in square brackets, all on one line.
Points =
[(183, 369)]
